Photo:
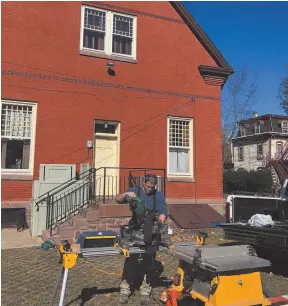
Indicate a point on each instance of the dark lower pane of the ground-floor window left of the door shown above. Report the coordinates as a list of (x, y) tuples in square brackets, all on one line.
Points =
[(17, 154)]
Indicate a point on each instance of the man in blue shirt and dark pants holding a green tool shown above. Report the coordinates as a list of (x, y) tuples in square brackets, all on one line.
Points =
[(142, 266)]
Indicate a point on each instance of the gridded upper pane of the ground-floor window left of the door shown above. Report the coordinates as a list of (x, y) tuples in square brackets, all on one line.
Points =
[(16, 121)]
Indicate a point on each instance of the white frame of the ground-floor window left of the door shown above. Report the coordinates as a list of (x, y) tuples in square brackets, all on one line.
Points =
[(30, 170)]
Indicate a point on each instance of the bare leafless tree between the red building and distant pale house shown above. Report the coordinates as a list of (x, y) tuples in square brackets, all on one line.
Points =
[(240, 97)]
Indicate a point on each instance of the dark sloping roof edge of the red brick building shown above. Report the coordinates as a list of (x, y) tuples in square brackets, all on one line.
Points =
[(202, 37)]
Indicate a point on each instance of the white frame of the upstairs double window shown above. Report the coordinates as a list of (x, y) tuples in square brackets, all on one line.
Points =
[(108, 40)]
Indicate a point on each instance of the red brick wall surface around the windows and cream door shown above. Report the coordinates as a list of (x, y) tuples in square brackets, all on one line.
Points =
[(168, 56)]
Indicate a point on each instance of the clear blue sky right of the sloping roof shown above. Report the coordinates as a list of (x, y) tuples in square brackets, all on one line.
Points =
[(253, 35)]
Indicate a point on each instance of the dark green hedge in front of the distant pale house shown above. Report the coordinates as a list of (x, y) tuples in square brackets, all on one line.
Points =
[(242, 180)]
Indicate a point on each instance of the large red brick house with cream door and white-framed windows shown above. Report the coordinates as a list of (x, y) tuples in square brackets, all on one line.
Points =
[(112, 84)]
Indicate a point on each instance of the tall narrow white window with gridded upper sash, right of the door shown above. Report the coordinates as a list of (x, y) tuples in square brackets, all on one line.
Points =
[(179, 146)]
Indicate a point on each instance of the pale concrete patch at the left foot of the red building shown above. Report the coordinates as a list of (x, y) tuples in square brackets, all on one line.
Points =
[(11, 239)]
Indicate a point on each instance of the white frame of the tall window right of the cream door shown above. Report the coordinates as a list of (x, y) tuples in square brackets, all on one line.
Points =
[(191, 141)]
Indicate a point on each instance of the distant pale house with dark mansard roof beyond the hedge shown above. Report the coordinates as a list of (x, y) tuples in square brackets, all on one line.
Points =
[(258, 140)]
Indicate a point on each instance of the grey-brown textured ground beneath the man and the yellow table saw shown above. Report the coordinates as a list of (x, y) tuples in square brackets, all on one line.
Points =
[(29, 275)]
